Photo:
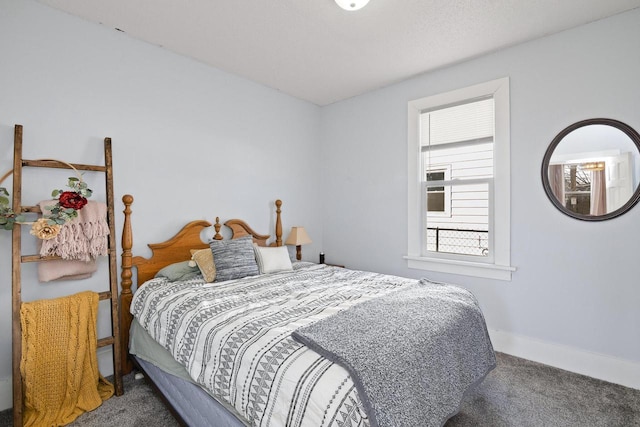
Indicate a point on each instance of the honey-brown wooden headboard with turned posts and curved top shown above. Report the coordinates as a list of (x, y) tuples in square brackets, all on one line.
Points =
[(174, 250)]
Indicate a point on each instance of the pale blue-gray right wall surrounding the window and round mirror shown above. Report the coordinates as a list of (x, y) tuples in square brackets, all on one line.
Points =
[(576, 290)]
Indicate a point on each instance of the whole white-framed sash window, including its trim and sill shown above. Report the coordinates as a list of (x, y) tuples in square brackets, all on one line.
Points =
[(459, 173)]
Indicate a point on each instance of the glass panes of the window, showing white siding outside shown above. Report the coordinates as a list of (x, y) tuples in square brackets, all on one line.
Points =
[(462, 136)]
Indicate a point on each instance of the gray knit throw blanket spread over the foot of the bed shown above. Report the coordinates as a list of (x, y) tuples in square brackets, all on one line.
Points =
[(413, 354)]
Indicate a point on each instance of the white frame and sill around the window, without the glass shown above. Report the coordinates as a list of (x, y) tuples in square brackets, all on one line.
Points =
[(496, 267)]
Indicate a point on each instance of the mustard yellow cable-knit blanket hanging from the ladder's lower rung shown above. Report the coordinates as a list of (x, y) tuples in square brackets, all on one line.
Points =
[(59, 364)]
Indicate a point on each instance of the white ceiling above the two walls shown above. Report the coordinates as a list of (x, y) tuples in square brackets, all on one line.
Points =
[(313, 50)]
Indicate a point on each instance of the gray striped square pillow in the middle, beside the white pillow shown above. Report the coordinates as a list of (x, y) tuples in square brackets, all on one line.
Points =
[(234, 259)]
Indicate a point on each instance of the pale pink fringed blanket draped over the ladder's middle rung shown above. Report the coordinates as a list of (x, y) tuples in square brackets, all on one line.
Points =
[(79, 243)]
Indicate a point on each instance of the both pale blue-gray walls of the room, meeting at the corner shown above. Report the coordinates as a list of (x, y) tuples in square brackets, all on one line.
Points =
[(191, 142)]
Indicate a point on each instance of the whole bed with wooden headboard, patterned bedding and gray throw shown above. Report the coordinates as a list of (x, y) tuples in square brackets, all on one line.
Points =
[(284, 343)]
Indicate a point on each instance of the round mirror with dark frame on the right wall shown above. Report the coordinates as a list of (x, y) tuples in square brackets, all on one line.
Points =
[(591, 170)]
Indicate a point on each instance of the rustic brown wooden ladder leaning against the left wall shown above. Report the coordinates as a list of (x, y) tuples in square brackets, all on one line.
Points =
[(18, 259)]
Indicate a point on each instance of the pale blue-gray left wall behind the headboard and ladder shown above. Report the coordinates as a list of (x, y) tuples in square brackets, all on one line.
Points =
[(189, 142)]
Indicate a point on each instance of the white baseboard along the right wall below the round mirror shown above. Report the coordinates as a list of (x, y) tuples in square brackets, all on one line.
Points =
[(600, 366)]
